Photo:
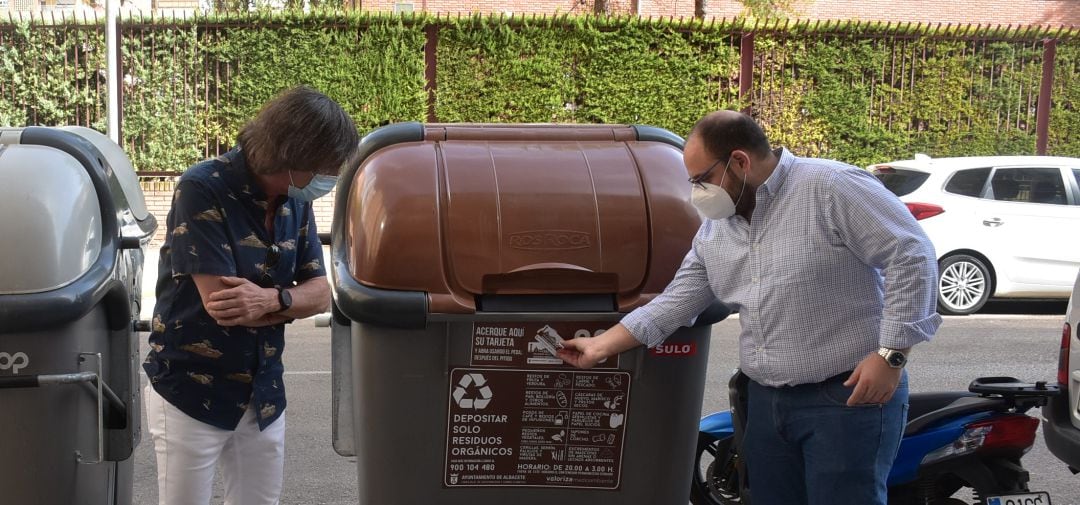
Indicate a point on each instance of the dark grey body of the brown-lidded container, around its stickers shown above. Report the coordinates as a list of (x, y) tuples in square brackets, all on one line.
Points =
[(395, 390)]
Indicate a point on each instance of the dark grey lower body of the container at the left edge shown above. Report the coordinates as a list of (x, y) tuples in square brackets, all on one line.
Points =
[(51, 433)]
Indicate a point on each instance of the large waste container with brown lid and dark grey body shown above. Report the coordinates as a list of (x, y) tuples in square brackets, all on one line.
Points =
[(457, 250)]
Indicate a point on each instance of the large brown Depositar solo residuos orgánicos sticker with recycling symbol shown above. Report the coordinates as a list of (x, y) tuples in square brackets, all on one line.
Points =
[(557, 429)]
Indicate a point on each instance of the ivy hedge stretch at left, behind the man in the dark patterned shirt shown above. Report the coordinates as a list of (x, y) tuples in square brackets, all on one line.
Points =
[(191, 85)]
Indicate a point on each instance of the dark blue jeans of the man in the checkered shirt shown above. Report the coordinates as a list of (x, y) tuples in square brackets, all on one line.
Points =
[(805, 446)]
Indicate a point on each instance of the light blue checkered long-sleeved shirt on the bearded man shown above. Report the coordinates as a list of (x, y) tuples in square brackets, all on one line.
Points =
[(831, 267)]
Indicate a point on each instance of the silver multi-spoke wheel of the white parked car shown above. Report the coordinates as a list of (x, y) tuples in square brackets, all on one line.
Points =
[(964, 285)]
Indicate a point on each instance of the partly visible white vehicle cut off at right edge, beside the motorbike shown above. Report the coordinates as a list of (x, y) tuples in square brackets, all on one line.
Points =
[(1061, 417)]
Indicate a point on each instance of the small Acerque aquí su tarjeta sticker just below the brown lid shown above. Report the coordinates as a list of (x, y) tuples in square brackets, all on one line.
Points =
[(530, 345)]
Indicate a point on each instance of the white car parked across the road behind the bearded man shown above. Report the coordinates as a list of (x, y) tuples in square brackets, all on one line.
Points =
[(1004, 227)]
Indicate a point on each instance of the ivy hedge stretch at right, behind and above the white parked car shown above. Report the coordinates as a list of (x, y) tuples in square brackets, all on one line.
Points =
[(867, 100)]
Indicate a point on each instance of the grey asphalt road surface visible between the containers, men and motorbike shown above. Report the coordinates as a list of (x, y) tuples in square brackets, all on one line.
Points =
[(1009, 339)]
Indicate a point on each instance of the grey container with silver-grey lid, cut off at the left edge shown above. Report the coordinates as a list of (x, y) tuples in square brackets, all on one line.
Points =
[(75, 233)]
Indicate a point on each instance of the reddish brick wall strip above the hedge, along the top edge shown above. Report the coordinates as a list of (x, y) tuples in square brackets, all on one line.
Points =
[(993, 12)]
